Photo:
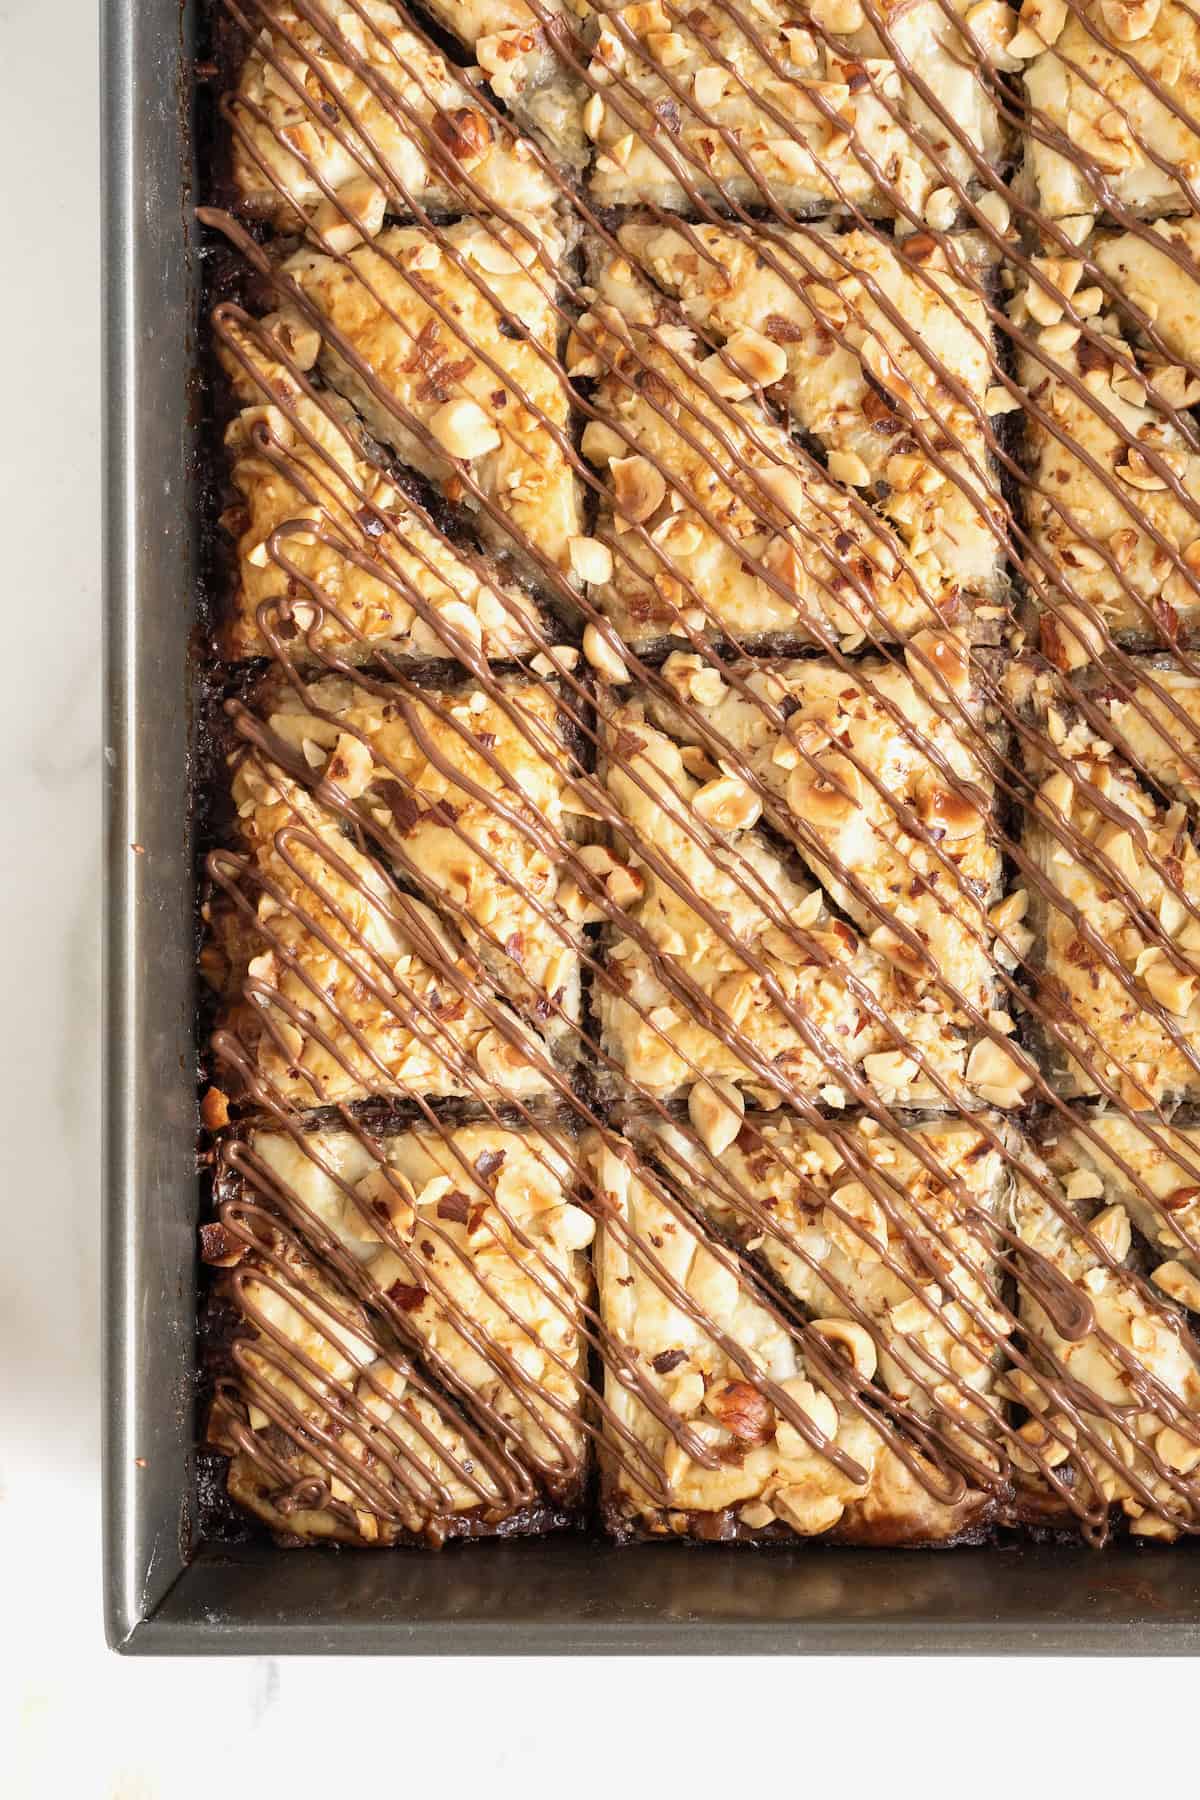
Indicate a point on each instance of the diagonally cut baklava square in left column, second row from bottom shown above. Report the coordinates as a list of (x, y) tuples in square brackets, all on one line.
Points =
[(336, 982)]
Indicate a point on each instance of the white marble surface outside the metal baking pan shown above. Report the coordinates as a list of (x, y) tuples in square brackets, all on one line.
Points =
[(84, 1725)]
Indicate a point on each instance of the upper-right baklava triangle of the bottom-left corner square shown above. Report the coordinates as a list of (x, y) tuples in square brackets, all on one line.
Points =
[(469, 1245)]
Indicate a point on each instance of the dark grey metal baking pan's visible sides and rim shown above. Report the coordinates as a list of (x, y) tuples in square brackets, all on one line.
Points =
[(165, 1592)]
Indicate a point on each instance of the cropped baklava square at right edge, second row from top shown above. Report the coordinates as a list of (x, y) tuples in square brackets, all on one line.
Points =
[(1113, 498)]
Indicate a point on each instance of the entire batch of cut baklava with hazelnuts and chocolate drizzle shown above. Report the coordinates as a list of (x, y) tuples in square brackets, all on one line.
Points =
[(703, 901)]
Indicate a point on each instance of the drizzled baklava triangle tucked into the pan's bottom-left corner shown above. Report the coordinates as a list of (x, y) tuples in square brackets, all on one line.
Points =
[(330, 1430)]
